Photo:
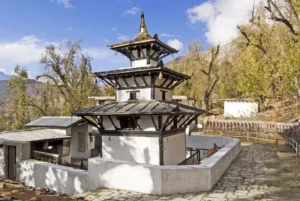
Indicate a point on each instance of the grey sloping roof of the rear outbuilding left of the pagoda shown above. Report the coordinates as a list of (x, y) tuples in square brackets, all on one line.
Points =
[(59, 122)]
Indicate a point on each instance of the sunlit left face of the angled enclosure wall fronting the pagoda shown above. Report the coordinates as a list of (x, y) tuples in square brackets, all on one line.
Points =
[(110, 173)]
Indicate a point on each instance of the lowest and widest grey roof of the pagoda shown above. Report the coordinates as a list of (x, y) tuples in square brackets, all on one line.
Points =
[(139, 108)]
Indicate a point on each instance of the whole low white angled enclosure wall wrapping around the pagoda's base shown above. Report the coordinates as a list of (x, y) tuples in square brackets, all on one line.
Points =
[(154, 179)]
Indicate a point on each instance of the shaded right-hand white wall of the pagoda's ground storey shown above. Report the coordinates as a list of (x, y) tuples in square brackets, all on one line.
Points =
[(174, 149)]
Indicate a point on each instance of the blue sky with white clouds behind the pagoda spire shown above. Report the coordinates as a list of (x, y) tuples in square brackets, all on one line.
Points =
[(27, 26)]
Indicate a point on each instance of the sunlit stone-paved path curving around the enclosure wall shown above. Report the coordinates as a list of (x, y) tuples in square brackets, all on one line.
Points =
[(260, 172)]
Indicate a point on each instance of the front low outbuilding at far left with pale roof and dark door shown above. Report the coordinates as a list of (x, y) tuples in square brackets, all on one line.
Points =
[(34, 143)]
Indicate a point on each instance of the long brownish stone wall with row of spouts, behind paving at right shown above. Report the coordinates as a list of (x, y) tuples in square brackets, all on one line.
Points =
[(261, 131)]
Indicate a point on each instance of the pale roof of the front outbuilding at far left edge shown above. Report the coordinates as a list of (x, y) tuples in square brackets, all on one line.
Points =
[(33, 135)]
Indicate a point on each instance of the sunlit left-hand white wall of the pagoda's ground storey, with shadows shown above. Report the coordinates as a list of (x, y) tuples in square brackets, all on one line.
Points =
[(133, 149)]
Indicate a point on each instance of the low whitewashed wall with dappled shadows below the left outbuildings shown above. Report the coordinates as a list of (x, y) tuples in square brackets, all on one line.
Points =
[(61, 179)]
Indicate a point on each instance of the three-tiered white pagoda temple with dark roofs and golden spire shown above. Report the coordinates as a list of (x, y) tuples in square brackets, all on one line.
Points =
[(143, 124)]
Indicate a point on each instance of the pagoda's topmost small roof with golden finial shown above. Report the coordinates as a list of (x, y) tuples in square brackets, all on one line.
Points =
[(144, 40)]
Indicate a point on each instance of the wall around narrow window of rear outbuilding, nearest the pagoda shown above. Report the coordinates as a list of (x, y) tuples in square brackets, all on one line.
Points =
[(74, 153)]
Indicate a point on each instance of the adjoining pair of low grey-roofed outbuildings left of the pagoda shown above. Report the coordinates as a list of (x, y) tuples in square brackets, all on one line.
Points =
[(60, 140)]
